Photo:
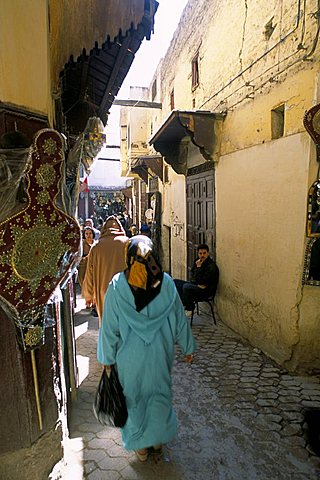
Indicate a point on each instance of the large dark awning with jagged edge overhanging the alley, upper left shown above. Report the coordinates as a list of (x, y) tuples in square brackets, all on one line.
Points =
[(89, 82)]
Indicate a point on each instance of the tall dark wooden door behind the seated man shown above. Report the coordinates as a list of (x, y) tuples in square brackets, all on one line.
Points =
[(200, 213)]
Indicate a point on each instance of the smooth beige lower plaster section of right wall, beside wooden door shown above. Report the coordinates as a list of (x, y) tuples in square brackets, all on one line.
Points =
[(260, 247)]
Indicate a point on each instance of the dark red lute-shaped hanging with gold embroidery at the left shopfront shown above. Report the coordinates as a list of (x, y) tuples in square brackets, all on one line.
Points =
[(38, 244)]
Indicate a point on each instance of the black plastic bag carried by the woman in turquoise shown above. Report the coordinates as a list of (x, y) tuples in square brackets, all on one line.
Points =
[(110, 404)]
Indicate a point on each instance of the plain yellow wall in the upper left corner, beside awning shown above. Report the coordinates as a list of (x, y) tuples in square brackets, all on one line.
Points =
[(24, 71)]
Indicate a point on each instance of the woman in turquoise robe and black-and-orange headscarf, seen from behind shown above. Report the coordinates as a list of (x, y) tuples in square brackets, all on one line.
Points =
[(143, 319)]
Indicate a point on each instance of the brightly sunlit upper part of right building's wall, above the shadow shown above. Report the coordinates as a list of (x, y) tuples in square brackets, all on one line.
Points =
[(236, 61)]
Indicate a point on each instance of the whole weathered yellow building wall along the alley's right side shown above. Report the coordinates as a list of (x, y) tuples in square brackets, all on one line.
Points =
[(252, 57)]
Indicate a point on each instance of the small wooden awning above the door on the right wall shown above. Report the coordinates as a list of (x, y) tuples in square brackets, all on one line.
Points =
[(181, 127)]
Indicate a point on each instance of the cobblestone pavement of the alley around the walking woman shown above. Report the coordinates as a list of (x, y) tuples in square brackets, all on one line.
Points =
[(240, 416)]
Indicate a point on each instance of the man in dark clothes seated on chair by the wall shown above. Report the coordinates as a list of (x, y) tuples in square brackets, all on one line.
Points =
[(204, 280)]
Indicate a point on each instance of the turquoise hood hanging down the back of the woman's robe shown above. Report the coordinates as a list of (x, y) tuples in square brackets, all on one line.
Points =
[(151, 318)]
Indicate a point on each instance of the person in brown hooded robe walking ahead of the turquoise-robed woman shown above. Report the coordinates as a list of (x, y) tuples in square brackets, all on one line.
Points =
[(106, 258)]
